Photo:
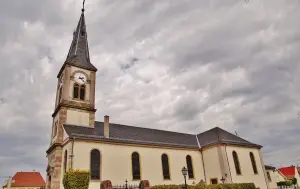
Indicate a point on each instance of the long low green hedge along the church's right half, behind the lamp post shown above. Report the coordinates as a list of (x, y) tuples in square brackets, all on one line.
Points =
[(211, 186)]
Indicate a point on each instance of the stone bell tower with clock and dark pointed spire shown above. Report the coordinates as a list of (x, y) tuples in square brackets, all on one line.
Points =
[(75, 99)]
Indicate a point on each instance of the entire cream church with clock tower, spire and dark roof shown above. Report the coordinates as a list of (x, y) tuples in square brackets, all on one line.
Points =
[(117, 152)]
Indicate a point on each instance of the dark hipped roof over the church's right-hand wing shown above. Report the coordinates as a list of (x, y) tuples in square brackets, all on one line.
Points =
[(220, 136)]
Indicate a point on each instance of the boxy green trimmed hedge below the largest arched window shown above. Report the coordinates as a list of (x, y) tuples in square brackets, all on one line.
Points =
[(76, 179)]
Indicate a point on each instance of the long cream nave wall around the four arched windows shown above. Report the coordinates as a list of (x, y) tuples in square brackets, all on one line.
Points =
[(116, 163)]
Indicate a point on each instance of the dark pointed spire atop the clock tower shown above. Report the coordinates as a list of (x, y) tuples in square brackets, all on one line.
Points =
[(79, 50)]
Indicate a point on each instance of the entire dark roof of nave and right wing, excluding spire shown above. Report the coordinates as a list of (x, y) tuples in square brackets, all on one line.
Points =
[(139, 135)]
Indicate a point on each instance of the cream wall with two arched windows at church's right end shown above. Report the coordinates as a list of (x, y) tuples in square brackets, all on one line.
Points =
[(247, 174)]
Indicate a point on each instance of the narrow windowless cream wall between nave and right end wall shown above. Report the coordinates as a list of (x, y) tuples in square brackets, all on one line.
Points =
[(212, 164)]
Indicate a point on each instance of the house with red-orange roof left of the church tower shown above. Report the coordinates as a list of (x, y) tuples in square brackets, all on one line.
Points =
[(28, 180)]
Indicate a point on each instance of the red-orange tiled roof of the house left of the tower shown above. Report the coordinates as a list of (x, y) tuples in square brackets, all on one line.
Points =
[(28, 179)]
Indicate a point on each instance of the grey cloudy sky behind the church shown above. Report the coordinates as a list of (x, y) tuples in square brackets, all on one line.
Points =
[(178, 65)]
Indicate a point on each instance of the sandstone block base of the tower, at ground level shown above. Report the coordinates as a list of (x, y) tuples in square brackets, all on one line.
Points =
[(54, 168)]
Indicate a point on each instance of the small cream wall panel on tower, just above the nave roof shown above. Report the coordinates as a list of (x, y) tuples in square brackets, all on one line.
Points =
[(77, 117)]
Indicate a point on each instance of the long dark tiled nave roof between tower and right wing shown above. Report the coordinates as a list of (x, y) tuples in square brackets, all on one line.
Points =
[(130, 134)]
